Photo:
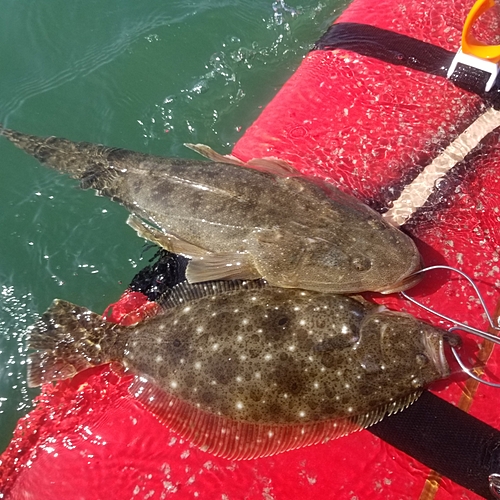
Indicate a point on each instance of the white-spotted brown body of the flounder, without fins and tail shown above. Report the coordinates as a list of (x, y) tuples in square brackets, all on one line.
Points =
[(283, 356)]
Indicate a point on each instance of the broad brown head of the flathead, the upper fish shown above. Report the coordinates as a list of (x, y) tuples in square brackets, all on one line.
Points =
[(352, 248)]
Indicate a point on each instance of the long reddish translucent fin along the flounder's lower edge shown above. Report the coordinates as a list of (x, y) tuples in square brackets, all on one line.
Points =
[(241, 440)]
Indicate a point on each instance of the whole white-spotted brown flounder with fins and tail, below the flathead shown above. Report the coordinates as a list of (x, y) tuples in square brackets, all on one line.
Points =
[(244, 371)]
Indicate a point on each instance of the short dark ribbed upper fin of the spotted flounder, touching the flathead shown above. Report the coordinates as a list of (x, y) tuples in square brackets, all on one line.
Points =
[(186, 292)]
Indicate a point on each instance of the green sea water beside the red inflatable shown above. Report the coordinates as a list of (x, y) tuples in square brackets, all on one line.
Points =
[(146, 76)]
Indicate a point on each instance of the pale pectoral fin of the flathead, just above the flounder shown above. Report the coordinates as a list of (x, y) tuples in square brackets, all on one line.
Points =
[(221, 266)]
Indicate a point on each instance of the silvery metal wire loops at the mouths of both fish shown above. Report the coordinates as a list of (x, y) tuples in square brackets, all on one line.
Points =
[(458, 325)]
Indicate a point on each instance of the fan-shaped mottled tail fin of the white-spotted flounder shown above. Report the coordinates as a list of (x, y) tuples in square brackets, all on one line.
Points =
[(66, 340)]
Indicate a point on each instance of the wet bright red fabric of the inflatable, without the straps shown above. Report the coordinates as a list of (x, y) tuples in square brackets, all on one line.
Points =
[(363, 124)]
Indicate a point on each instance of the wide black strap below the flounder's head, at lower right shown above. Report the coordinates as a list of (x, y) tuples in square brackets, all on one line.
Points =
[(446, 439)]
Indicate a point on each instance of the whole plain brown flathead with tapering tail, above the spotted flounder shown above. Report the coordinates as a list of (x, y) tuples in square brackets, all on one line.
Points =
[(245, 221)]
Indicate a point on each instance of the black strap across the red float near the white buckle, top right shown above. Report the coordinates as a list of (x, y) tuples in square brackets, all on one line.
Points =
[(403, 50)]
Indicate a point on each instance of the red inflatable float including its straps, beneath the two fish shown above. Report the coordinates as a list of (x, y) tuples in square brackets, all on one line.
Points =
[(372, 110)]
